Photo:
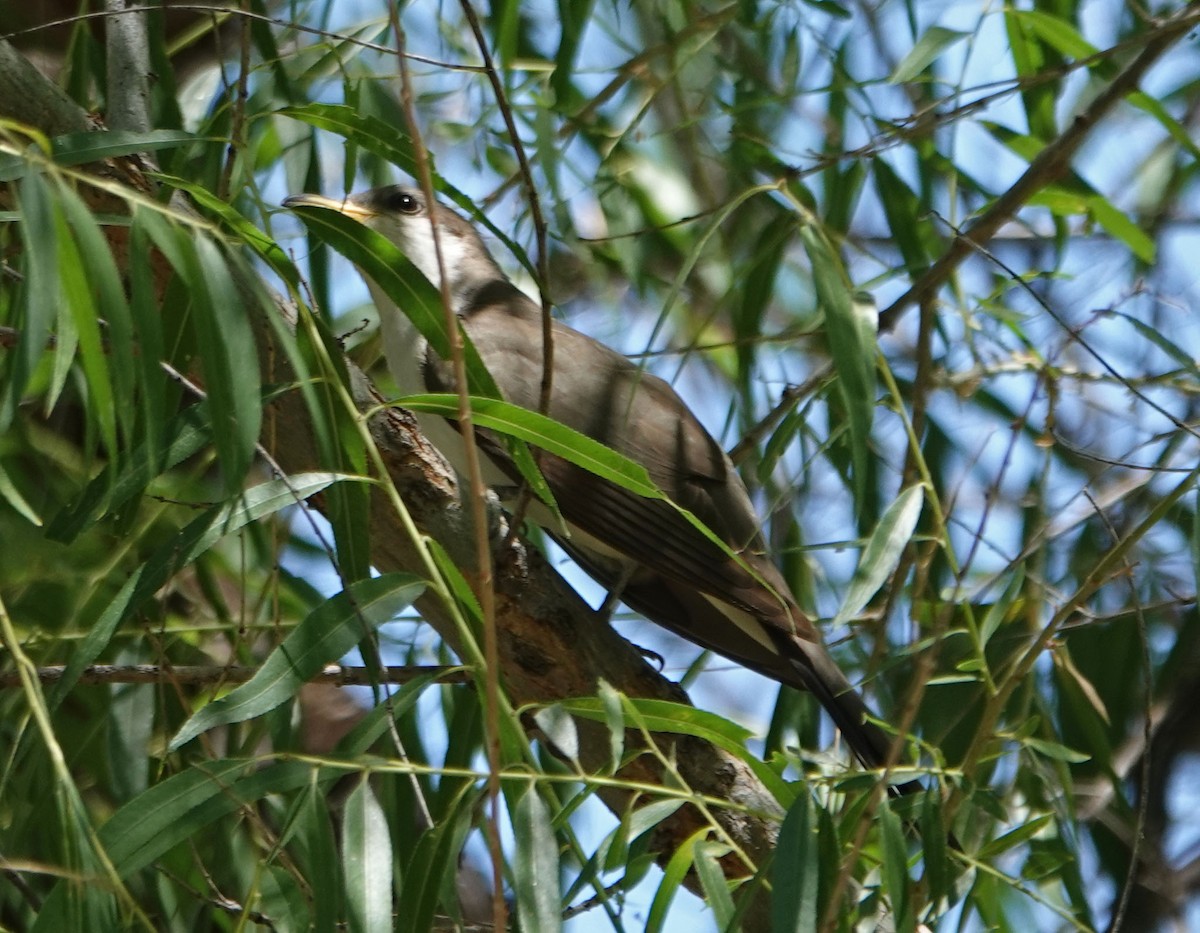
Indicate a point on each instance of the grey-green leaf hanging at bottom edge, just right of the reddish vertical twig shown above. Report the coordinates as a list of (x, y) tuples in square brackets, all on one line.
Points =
[(536, 871)]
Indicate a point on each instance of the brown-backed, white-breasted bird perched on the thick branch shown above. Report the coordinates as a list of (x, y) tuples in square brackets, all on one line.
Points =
[(671, 573)]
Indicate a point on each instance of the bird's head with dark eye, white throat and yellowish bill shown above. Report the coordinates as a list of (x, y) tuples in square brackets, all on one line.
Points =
[(404, 216)]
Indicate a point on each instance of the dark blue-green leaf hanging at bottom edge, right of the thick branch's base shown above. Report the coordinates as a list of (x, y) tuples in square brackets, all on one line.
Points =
[(796, 872)]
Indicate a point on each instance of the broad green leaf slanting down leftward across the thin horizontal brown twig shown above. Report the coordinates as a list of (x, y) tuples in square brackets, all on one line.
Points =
[(326, 635)]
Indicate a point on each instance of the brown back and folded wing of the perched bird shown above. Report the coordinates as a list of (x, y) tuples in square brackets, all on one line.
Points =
[(644, 419)]
